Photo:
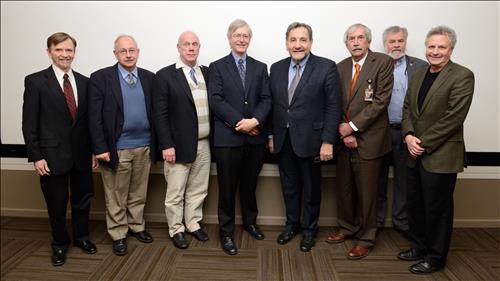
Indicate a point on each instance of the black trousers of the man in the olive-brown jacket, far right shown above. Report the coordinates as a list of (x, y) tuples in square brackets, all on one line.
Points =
[(430, 212)]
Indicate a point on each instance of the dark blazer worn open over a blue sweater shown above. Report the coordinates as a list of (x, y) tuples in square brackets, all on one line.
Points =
[(106, 111)]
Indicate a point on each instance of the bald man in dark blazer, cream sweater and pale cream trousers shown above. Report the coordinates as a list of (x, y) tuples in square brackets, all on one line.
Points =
[(181, 118)]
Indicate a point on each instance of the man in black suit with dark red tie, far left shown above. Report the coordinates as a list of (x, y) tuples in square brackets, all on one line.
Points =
[(57, 140)]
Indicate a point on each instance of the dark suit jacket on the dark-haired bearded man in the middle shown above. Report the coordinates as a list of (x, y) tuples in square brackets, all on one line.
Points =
[(314, 112)]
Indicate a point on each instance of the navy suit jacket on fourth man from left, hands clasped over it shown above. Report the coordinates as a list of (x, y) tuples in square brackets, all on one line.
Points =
[(227, 100)]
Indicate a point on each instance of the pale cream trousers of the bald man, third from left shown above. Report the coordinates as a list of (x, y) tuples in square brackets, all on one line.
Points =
[(187, 187)]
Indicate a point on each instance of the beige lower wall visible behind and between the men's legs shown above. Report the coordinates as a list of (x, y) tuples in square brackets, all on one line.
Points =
[(476, 200)]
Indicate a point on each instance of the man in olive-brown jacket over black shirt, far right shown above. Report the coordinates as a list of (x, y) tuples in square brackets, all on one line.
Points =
[(438, 100)]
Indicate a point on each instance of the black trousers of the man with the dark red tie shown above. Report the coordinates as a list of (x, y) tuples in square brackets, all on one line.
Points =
[(56, 189)]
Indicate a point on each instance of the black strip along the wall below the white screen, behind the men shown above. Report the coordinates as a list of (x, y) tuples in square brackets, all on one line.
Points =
[(473, 158)]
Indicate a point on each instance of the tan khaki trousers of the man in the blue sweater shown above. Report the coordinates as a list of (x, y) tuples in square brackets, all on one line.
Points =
[(125, 191)]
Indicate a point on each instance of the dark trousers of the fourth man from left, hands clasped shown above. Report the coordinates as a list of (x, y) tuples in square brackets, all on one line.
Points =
[(238, 167)]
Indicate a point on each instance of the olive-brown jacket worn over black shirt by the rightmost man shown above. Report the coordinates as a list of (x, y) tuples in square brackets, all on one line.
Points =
[(439, 124)]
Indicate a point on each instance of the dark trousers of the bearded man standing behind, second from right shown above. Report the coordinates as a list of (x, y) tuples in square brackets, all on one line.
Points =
[(398, 157)]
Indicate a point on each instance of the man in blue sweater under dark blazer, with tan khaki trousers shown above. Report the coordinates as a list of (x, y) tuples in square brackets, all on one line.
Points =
[(123, 140)]
